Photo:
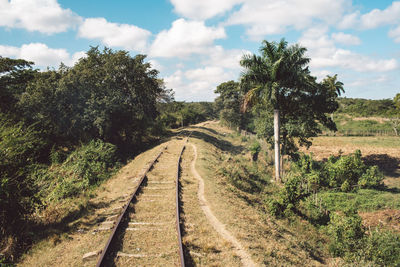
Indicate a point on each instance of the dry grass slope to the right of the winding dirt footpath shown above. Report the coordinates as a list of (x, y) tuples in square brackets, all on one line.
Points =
[(270, 242)]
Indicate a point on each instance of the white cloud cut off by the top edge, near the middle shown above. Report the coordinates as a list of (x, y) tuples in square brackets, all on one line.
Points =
[(202, 9)]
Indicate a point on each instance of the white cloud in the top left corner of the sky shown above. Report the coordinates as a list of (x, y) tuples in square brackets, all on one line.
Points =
[(45, 16)]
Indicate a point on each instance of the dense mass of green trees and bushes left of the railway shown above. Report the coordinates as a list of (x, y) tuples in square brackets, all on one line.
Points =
[(63, 132)]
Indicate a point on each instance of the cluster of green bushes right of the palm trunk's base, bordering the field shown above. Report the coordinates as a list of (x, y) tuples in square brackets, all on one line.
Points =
[(342, 173)]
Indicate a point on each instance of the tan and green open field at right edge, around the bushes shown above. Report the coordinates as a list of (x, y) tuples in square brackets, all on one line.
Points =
[(377, 207)]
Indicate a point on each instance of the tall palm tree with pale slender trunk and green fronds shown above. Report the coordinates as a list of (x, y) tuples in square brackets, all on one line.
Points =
[(267, 78)]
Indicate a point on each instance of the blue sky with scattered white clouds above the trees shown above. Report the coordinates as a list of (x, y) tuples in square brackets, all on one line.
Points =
[(197, 44)]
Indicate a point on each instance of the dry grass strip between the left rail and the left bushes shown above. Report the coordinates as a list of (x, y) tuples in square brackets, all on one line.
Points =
[(66, 247)]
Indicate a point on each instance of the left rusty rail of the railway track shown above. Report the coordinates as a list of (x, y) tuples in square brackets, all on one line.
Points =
[(100, 262)]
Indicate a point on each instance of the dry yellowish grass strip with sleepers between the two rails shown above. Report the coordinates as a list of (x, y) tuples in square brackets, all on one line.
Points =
[(155, 204)]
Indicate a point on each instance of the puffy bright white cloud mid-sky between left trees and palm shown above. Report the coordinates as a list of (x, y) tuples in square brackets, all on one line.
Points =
[(185, 38)]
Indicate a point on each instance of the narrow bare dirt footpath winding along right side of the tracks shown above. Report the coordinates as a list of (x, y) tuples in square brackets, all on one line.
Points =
[(218, 226)]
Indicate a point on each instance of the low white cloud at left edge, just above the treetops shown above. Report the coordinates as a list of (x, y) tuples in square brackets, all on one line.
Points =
[(41, 54)]
